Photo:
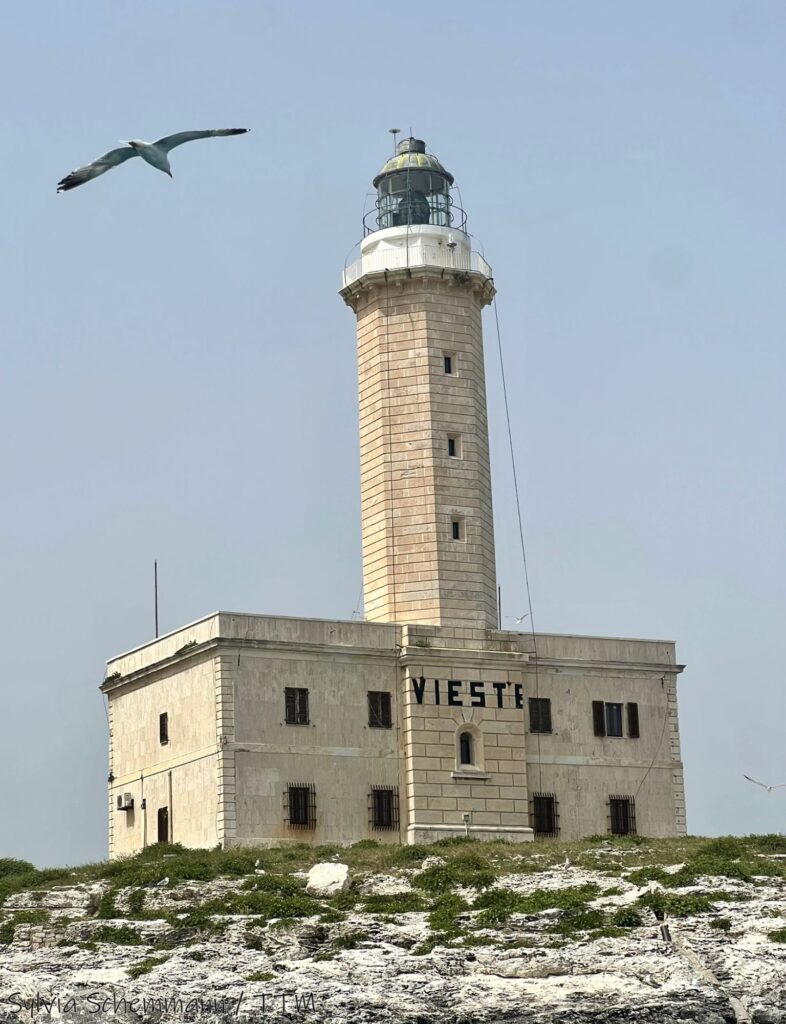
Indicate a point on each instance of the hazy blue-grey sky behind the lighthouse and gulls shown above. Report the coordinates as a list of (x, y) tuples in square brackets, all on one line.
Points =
[(179, 372)]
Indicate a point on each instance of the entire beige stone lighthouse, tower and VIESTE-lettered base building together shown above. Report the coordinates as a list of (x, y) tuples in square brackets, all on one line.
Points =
[(424, 720)]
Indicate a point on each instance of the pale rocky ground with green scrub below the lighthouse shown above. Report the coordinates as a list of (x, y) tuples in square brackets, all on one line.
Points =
[(458, 936)]
